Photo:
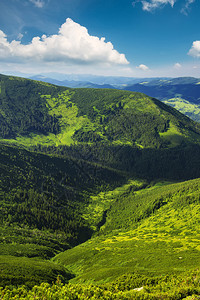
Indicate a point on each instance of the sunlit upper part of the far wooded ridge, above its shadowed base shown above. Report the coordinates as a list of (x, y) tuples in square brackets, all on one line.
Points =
[(33, 113)]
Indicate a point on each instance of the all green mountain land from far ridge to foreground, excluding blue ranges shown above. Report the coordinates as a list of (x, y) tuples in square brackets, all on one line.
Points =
[(98, 186)]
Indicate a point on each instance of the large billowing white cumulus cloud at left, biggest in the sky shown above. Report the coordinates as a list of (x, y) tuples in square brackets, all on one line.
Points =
[(72, 44)]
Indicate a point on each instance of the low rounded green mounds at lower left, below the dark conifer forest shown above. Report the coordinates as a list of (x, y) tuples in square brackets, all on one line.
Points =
[(26, 253)]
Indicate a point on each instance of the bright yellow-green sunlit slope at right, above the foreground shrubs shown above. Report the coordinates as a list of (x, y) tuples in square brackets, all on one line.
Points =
[(154, 232)]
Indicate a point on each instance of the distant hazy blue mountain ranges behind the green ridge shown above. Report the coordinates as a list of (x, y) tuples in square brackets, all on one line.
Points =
[(179, 93)]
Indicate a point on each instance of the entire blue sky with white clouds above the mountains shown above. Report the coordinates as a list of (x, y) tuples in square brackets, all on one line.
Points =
[(140, 38)]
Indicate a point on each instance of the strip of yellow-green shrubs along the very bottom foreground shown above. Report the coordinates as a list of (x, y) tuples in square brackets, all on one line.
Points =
[(133, 286)]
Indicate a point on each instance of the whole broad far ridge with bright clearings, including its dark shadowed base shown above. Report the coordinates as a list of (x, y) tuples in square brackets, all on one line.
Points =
[(119, 129)]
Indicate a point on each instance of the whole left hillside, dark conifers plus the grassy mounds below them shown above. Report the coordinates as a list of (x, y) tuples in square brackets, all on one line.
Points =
[(44, 204)]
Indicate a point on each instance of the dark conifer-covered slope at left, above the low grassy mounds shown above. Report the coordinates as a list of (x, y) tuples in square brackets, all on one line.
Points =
[(49, 192)]
